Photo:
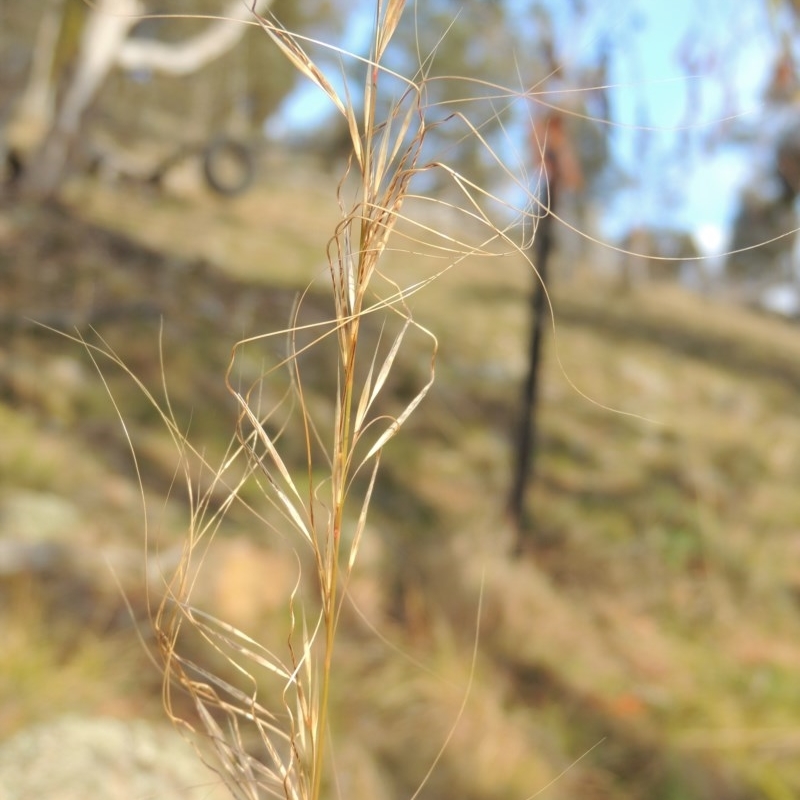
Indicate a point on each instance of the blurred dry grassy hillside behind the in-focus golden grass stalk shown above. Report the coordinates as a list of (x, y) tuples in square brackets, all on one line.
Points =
[(646, 647)]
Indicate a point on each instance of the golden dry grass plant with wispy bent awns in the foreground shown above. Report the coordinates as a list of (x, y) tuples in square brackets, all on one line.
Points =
[(266, 712)]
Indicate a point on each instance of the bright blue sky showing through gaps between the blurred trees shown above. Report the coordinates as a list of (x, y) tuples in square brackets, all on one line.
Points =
[(678, 67)]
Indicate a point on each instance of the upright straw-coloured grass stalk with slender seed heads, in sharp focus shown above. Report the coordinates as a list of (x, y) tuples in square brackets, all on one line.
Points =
[(386, 155)]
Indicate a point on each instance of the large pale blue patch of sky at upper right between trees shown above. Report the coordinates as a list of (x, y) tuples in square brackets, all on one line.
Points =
[(691, 177)]
